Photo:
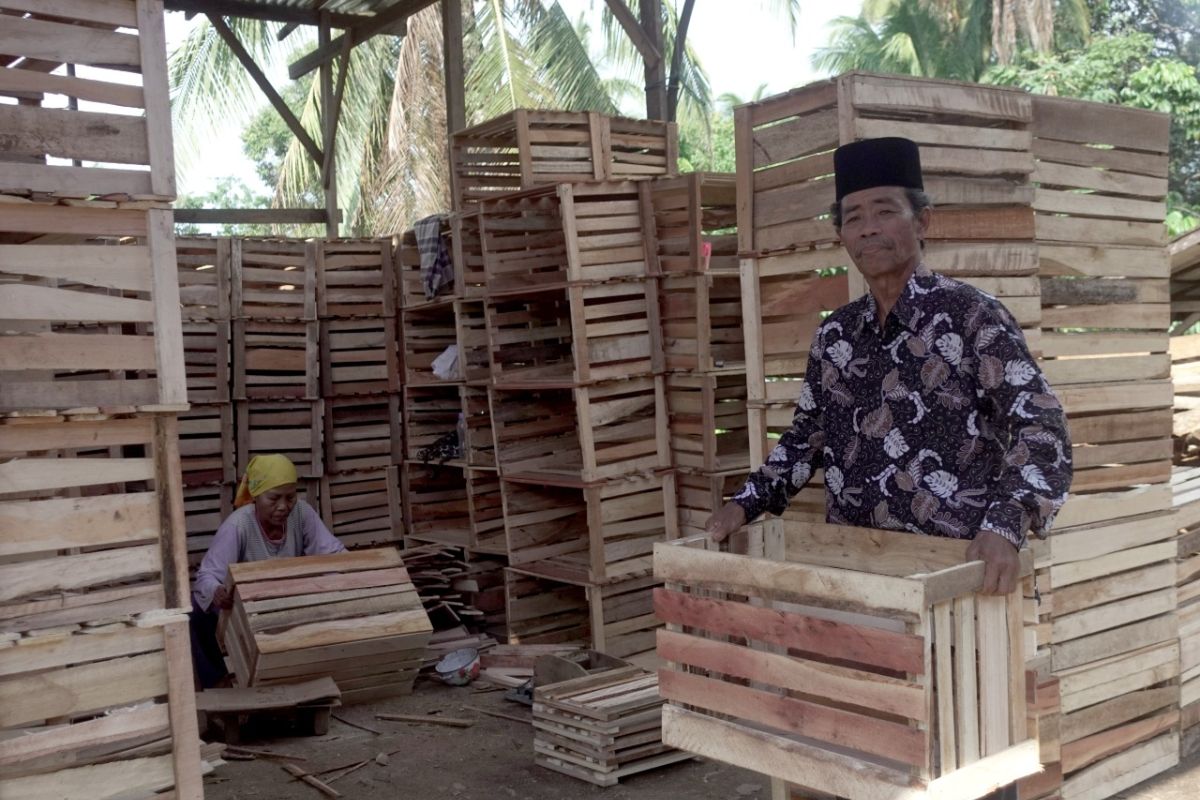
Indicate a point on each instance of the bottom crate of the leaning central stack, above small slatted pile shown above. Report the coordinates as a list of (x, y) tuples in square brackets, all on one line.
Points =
[(615, 618)]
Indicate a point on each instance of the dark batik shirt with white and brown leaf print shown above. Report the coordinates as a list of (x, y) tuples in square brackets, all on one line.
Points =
[(940, 424)]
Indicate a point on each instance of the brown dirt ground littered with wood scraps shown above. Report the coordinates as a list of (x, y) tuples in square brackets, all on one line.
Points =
[(494, 761)]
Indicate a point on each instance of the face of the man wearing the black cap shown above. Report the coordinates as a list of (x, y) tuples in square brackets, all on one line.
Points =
[(880, 231)]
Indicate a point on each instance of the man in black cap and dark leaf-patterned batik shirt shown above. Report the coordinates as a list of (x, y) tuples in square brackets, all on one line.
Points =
[(921, 400)]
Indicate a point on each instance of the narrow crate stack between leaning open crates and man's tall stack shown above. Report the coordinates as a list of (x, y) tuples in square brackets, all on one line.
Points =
[(700, 296)]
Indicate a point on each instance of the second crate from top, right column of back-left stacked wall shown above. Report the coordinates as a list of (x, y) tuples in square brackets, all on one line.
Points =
[(359, 357)]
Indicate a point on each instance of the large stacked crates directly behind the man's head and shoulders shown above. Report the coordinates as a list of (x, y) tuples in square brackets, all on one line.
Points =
[(975, 147)]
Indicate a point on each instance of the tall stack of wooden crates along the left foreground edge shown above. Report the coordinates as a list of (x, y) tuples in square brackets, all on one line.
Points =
[(95, 670)]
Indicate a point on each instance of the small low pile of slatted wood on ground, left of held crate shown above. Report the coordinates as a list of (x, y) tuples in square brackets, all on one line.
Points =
[(602, 726)]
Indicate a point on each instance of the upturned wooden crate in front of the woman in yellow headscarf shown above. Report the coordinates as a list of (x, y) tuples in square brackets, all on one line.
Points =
[(368, 631)]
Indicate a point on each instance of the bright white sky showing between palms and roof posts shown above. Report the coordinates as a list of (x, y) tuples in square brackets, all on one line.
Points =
[(740, 43)]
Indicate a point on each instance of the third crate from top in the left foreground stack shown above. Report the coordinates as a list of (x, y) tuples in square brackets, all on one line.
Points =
[(105, 491)]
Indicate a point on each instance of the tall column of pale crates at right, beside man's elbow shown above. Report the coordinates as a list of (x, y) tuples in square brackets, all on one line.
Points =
[(1114, 633)]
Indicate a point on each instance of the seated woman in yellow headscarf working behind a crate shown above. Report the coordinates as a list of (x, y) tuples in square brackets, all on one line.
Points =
[(269, 524)]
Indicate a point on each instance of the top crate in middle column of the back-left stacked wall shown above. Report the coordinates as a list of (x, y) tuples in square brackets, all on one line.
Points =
[(274, 279)]
